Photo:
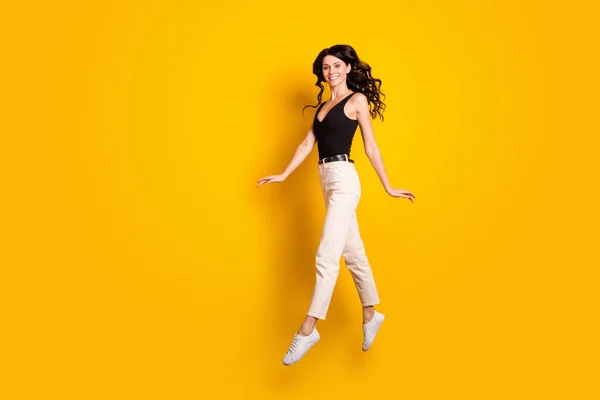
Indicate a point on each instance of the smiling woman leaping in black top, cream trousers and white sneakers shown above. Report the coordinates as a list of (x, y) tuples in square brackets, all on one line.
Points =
[(353, 92)]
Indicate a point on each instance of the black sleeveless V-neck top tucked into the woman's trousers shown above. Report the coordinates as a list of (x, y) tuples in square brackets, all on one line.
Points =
[(335, 133)]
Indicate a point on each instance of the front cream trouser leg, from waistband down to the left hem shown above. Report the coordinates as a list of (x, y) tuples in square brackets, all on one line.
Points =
[(342, 192)]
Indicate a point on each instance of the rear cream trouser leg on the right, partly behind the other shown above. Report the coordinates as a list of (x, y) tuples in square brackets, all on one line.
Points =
[(358, 264)]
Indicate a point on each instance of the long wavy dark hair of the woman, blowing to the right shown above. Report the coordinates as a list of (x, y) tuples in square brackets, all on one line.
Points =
[(359, 79)]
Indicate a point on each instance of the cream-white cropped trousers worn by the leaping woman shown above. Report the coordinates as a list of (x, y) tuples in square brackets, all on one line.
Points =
[(340, 236)]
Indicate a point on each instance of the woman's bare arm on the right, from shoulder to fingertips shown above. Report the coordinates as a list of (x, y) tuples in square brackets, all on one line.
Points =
[(372, 150)]
